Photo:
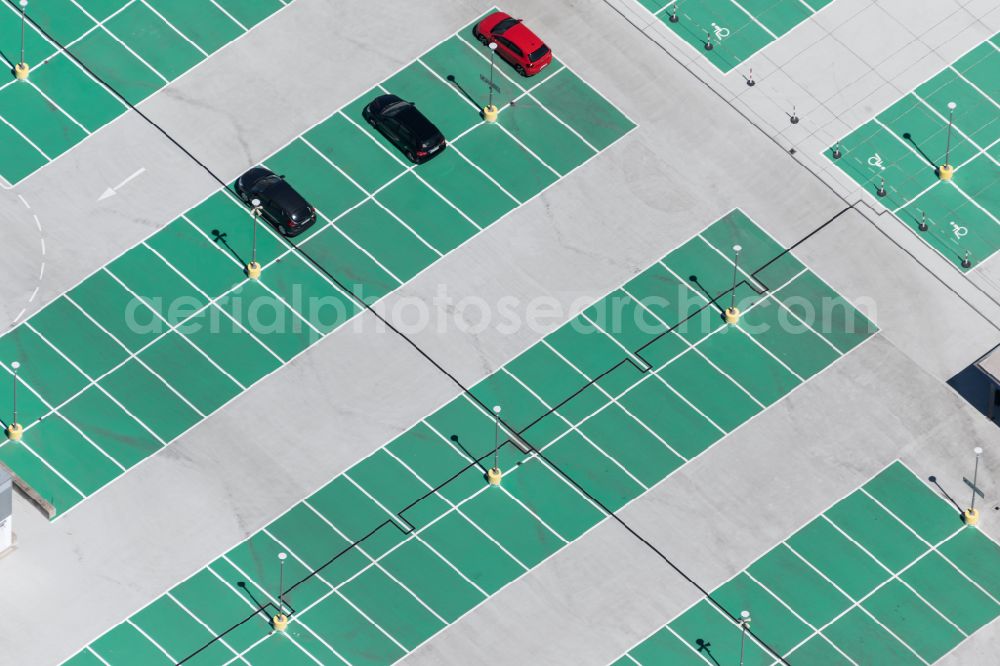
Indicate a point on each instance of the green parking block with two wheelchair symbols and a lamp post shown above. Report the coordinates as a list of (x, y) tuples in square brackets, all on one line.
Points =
[(907, 142)]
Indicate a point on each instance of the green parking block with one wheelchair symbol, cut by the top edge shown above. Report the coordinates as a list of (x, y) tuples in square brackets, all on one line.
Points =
[(736, 29)]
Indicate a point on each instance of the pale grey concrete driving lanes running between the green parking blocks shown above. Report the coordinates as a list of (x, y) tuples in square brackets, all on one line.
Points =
[(691, 159)]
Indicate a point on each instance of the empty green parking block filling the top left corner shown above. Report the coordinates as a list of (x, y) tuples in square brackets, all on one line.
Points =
[(137, 49)]
